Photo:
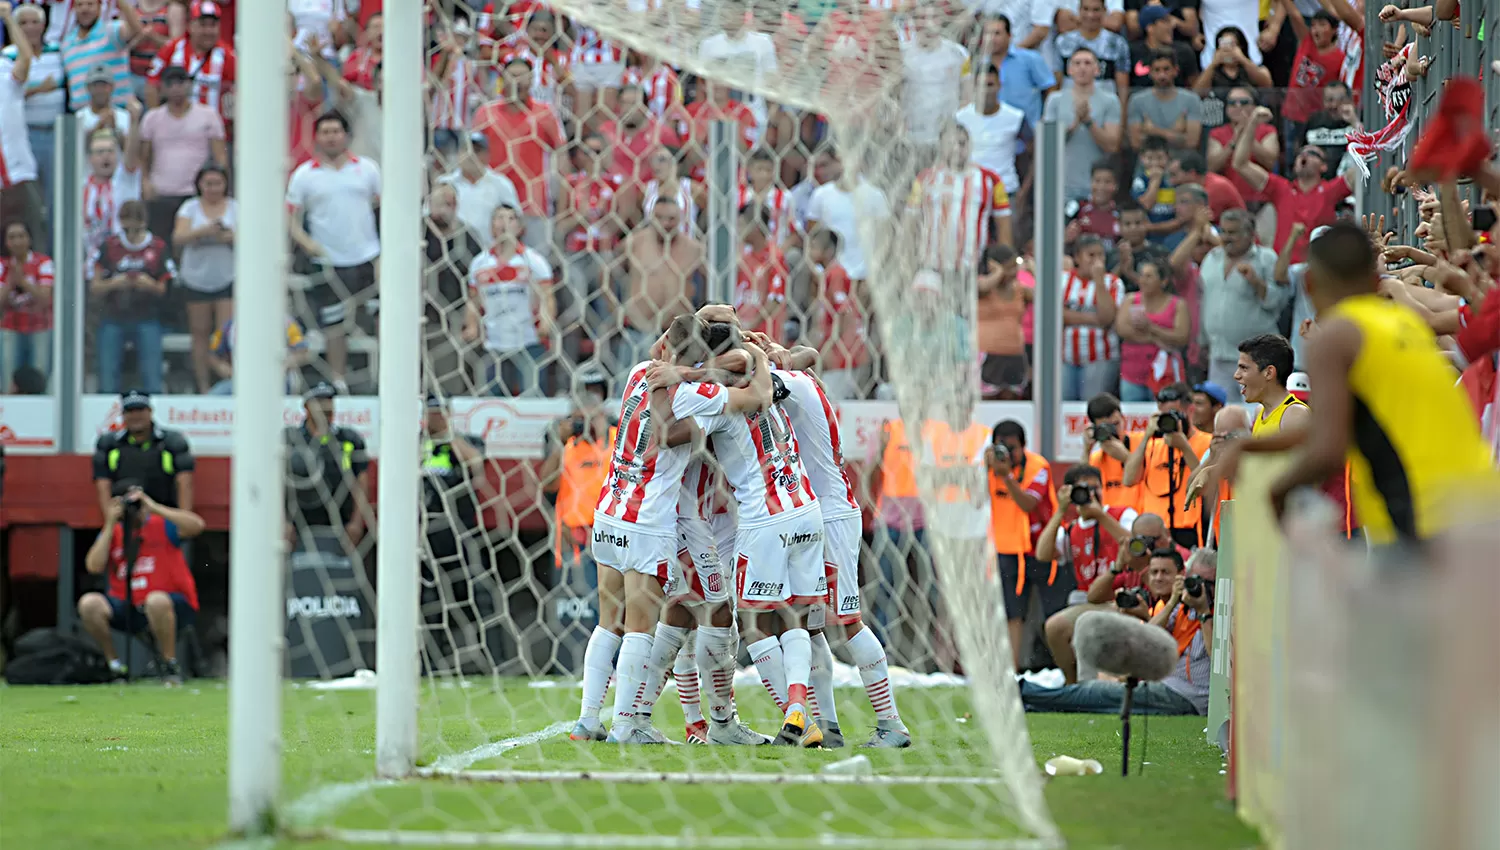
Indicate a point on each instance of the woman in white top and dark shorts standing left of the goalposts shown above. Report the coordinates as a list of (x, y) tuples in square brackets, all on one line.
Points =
[(205, 232)]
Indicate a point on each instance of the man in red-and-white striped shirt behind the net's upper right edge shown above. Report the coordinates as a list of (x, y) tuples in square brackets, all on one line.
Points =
[(959, 203)]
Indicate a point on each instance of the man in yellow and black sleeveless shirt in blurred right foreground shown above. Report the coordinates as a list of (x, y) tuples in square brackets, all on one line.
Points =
[(1387, 401)]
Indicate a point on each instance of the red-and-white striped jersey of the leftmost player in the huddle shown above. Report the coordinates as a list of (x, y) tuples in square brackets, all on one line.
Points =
[(644, 476)]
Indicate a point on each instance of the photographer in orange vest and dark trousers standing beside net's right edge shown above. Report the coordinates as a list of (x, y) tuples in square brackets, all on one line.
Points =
[(1021, 504)]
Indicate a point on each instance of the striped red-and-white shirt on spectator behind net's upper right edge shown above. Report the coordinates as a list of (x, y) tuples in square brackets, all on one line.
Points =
[(956, 206)]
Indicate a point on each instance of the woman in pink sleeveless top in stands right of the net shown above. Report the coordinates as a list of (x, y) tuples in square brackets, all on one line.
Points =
[(1153, 329)]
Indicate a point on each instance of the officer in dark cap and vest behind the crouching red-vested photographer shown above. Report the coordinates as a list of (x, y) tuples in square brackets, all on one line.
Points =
[(145, 452)]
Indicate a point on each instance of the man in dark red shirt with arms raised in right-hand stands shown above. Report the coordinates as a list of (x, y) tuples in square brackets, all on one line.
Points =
[(1307, 199)]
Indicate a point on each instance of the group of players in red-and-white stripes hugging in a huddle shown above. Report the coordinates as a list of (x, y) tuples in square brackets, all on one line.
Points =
[(716, 401)]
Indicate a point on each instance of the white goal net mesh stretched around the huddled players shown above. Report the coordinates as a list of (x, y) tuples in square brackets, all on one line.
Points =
[(526, 346)]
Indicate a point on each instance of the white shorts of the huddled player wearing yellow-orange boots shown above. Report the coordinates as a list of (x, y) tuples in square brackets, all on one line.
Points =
[(782, 563)]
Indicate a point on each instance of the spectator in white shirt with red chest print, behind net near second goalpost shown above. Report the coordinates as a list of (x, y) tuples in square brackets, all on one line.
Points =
[(512, 310)]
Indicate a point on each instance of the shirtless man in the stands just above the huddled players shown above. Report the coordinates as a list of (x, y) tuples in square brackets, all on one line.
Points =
[(664, 265)]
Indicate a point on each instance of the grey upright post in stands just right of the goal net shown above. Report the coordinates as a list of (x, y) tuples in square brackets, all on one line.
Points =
[(1049, 284)]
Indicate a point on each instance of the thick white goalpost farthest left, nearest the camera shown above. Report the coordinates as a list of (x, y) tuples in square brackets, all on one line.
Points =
[(257, 600)]
